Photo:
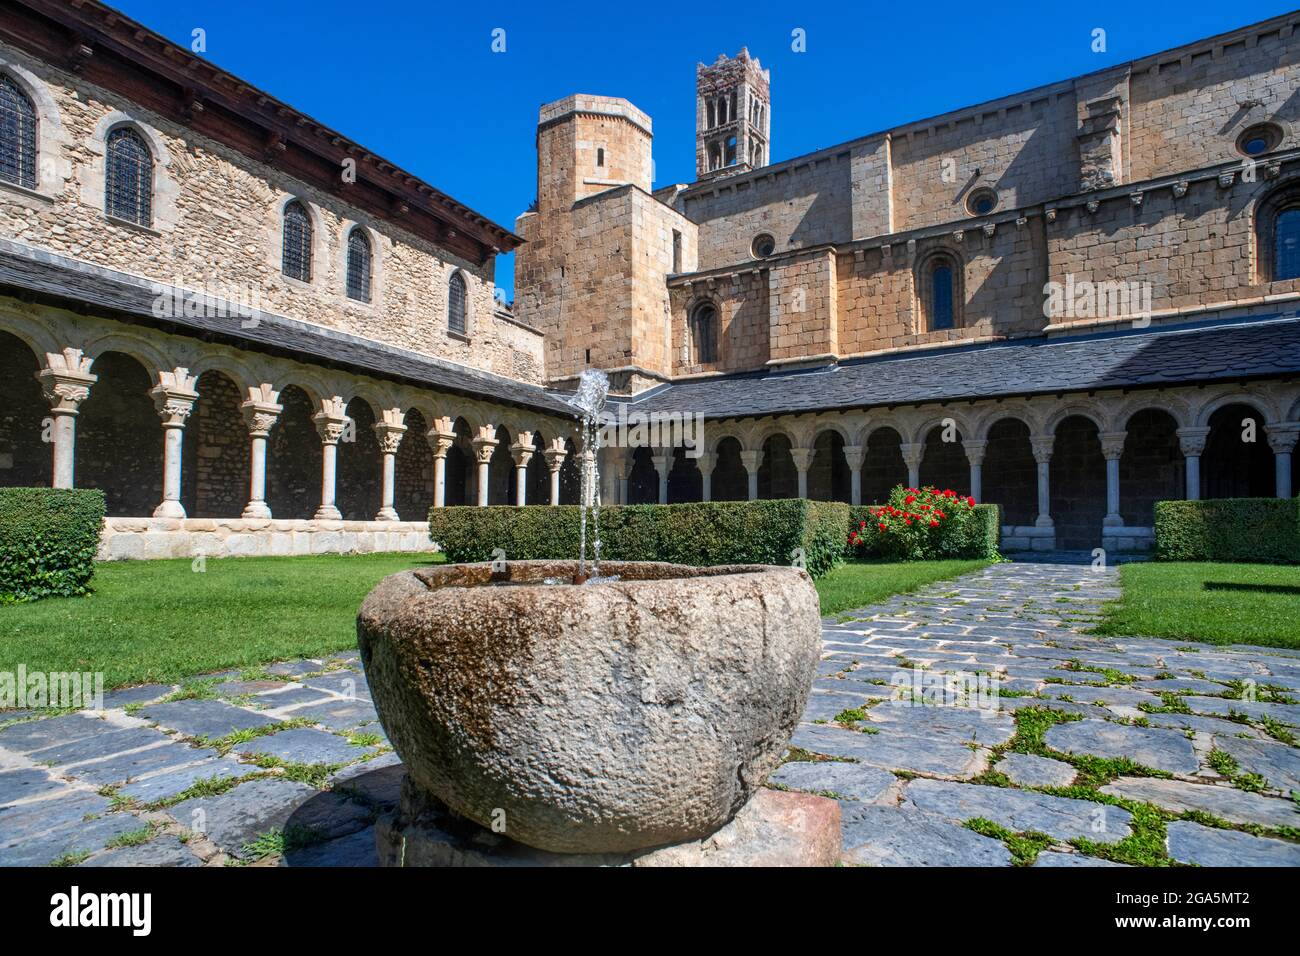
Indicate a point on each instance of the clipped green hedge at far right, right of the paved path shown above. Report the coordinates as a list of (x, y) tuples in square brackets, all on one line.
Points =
[(1247, 530)]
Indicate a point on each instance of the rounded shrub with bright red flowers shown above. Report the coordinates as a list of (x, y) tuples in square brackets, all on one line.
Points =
[(918, 525)]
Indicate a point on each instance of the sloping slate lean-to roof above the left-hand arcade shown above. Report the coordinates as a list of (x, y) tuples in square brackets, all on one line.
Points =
[(60, 280)]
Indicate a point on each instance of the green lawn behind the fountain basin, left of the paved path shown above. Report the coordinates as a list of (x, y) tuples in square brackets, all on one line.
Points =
[(161, 621)]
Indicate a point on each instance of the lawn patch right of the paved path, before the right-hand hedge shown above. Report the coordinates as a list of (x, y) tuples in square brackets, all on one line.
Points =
[(1216, 604)]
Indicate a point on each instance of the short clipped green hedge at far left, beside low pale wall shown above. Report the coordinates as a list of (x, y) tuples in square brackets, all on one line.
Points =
[(49, 538)]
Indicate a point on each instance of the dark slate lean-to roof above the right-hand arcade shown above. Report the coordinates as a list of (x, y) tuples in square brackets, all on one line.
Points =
[(1256, 348)]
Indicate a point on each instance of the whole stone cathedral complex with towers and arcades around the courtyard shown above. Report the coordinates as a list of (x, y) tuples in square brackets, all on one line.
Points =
[(258, 338)]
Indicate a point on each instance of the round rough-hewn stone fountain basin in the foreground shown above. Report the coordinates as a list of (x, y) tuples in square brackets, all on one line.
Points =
[(592, 719)]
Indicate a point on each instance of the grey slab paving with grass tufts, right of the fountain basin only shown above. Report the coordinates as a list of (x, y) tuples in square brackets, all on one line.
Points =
[(1094, 752)]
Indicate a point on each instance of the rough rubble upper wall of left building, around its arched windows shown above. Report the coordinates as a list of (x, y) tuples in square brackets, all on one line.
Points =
[(218, 227)]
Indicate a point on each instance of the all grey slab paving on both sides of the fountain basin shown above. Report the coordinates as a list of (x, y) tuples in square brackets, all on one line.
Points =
[(1094, 752)]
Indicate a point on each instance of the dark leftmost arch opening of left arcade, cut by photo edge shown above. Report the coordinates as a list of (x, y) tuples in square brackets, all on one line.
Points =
[(27, 460)]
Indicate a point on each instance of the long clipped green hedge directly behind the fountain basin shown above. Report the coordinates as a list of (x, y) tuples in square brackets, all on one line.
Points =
[(704, 534)]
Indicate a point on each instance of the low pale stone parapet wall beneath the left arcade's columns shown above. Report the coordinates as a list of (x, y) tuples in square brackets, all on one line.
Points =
[(127, 539)]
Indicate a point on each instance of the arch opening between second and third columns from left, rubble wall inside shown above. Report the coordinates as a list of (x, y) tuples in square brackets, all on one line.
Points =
[(215, 452)]
